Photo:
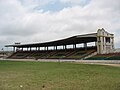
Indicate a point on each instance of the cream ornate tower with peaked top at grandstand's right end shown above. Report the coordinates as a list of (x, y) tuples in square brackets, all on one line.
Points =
[(105, 42)]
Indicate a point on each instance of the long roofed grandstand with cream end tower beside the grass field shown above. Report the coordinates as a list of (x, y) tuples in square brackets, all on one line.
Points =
[(75, 47)]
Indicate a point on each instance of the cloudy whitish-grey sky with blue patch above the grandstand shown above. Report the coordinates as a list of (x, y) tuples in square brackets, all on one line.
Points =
[(33, 21)]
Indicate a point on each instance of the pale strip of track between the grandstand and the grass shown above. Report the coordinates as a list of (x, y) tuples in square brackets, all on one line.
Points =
[(115, 63)]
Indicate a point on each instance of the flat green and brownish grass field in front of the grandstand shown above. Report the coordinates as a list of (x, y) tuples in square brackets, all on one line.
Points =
[(57, 76)]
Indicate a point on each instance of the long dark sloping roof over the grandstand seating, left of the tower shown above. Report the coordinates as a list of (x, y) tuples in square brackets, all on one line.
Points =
[(67, 41)]
